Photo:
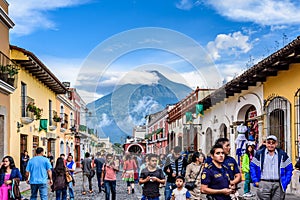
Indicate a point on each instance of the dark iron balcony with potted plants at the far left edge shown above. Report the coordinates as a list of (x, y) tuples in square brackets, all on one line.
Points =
[(8, 70)]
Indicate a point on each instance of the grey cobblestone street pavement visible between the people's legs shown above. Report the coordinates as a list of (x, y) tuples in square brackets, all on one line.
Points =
[(121, 190)]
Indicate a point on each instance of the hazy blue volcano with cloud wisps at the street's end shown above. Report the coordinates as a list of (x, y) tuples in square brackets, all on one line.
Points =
[(117, 112)]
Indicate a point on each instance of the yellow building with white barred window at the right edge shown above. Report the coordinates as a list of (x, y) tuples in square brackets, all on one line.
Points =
[(282, 98)]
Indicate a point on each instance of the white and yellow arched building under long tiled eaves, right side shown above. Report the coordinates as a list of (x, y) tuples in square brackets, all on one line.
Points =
[(265, 98)]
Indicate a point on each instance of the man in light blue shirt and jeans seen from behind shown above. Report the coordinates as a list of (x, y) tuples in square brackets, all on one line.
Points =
[(38, 170)]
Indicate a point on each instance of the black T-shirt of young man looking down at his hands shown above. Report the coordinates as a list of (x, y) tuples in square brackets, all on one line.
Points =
[(151, 189)]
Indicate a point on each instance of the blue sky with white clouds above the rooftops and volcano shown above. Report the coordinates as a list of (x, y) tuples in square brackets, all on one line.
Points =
[(67, 34)]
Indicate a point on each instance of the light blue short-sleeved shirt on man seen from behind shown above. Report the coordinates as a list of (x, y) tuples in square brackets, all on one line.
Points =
[(38, 167)]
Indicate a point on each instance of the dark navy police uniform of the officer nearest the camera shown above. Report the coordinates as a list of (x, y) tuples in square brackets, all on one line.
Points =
[(216, 178)]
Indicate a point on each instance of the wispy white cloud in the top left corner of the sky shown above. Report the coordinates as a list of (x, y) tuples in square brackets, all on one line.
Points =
[(31, 15)]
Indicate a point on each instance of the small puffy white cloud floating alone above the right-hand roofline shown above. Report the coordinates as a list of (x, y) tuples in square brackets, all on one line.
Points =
[(231, 44)]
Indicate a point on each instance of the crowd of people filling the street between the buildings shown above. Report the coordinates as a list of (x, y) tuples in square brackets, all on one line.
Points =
[(183, 175)]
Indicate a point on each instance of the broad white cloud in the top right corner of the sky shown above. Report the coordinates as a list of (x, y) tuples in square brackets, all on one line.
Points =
[(263, 12)]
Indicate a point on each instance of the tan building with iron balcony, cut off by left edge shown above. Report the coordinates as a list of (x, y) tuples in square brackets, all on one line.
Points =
[(6, 86)]
